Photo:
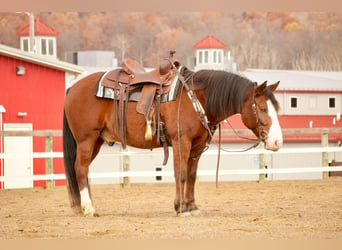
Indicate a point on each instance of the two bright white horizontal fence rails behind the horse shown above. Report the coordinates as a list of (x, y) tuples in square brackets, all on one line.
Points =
[(121, 174)]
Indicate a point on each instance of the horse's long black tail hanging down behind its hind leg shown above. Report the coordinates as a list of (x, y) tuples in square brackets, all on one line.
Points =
[(69, 151)]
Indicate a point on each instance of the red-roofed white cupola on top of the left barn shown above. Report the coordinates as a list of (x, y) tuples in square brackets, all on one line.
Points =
[(41, 41)]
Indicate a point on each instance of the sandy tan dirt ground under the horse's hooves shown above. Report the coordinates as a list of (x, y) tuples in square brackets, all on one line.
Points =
[(235, 210)]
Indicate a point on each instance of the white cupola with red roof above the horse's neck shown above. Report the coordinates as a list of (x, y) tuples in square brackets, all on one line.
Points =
[(210, 53)]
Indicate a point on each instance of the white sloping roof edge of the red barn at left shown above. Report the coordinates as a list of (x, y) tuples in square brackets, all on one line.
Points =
[(41, 60)]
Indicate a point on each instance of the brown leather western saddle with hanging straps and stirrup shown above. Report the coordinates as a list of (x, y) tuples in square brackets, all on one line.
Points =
[(153, 84)]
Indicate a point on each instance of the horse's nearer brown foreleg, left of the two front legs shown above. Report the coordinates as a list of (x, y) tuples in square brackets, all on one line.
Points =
[(180, 159)]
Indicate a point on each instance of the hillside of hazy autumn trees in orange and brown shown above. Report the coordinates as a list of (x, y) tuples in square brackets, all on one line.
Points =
[(282, 40)]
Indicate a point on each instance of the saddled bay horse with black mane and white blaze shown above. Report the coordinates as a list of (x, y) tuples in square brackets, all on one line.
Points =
[(88, 123)]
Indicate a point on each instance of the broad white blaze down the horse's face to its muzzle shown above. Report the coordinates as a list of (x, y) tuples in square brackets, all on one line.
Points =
[(275, 136)]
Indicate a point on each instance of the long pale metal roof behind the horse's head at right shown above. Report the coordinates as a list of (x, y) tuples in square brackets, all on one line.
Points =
[(292, 80)]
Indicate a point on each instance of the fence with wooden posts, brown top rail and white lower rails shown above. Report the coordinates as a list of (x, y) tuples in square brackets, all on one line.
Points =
[(49, 155)]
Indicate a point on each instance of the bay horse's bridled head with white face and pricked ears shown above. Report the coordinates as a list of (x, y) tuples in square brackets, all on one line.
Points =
[(259, 113)]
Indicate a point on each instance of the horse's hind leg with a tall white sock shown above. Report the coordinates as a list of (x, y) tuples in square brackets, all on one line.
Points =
[(86, 152)]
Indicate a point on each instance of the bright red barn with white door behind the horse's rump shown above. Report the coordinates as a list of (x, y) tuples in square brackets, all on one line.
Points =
[(32, 89)]
